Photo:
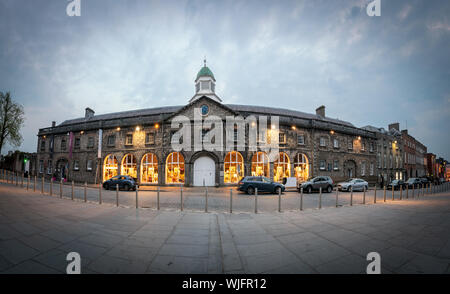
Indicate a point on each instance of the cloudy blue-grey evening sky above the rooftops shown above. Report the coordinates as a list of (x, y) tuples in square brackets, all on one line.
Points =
[(124, 55)]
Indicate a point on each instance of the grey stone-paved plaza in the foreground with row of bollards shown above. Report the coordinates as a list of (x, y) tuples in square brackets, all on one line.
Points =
[(37, 231)]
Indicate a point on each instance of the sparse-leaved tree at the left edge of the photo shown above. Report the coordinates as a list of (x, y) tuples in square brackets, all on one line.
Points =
[(11, 121)]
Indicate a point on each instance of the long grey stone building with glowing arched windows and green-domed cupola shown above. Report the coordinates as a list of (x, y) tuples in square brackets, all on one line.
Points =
[(138, 143)]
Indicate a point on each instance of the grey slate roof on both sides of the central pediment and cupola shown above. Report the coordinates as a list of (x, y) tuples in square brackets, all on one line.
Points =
[(236, 107)]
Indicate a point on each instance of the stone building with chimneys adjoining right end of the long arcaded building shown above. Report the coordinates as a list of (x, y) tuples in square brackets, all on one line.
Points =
[(390, 152)]
